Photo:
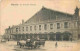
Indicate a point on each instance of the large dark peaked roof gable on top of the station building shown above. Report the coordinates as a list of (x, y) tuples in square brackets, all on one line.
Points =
[(46, 14)]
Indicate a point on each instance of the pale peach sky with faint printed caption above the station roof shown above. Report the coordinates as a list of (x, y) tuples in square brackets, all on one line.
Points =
[(12, 12)]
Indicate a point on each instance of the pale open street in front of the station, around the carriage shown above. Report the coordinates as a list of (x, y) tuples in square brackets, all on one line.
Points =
[(49, 46)]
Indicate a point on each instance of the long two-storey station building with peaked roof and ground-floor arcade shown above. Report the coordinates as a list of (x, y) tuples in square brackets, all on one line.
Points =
[(47, 24)]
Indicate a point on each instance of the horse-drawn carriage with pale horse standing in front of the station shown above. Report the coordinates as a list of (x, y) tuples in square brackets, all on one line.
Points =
[(31, 44)]
